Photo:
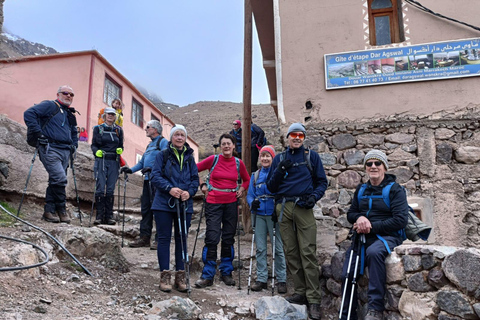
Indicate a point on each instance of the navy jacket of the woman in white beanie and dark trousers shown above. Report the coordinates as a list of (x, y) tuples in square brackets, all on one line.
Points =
[(164, 179)]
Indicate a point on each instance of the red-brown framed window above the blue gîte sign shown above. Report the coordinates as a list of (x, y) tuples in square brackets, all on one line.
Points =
[(385, 22)]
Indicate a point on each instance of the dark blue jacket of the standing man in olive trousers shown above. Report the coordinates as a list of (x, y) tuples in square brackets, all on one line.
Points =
[(299, 182)]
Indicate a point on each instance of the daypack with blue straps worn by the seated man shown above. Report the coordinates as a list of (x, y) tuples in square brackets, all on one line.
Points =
[(415, 230)]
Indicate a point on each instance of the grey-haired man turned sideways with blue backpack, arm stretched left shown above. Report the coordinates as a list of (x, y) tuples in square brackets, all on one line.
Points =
[(158, 143)]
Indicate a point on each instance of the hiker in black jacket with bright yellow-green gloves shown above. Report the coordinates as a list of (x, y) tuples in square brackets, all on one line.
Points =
[(107, 146)]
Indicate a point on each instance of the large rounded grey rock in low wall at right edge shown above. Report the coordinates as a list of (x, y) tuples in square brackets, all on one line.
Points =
[(467, 278)]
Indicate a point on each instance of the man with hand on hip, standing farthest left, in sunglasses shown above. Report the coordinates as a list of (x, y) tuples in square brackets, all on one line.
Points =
[(53, 127)]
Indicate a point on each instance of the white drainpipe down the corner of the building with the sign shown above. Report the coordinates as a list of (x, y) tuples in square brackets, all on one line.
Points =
[(278, 60)]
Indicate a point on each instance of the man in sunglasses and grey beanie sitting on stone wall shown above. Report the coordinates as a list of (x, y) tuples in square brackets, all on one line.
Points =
[(380, 223)]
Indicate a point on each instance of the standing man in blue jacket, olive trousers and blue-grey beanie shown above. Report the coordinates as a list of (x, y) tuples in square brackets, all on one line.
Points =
[(298, 181)]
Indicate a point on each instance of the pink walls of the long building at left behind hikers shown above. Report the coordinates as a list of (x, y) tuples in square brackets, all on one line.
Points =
[(30, 80)]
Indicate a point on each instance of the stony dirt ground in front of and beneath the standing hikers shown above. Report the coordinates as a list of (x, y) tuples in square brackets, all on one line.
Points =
[(61, 290)]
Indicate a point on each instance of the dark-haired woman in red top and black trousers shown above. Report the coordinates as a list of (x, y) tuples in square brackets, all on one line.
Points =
[(222, 189)]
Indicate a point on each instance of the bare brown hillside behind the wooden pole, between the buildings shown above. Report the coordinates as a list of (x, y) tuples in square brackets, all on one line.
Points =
[(207, 120)]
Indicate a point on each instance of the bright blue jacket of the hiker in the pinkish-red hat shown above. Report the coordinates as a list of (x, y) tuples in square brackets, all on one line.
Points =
[(258, 189)]
